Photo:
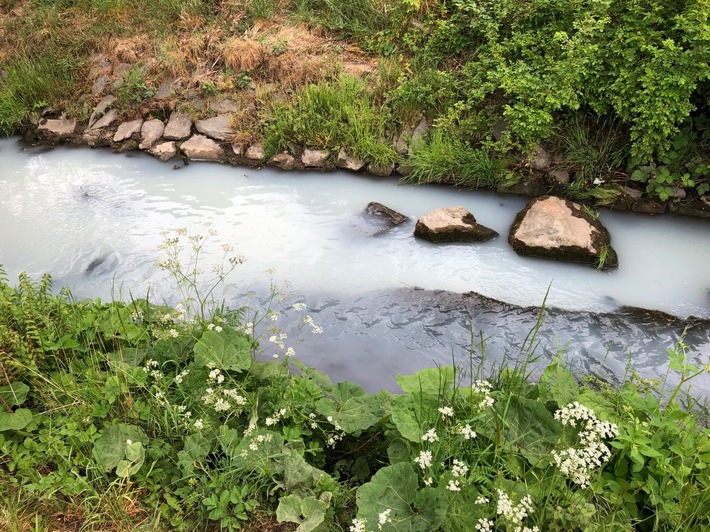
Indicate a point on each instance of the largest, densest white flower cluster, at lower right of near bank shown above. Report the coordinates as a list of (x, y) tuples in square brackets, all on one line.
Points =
[(577, 464)]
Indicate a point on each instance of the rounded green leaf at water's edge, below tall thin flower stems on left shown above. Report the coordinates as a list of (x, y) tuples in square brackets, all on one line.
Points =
[(227, 350)]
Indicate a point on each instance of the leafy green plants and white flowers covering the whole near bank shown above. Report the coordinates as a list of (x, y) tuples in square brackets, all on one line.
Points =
[(134, 415)]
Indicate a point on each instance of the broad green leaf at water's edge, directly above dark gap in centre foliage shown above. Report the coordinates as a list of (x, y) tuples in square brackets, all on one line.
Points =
[(352, 409)]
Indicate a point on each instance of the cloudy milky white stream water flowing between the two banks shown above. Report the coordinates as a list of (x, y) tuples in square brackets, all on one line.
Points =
[(66, 209)]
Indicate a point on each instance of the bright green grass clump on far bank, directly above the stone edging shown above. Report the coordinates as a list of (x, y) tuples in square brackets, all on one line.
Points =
[(331, 115)]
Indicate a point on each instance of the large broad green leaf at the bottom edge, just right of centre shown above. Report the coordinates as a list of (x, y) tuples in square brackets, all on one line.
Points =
[(396, 488)]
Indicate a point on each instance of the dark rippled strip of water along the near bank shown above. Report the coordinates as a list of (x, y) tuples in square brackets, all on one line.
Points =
[(371, 338)]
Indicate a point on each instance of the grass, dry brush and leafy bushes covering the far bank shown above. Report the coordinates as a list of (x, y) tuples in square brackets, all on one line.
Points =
[(615, 92)]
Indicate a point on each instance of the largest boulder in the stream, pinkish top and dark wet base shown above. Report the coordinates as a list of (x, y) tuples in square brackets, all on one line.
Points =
[(556, 228)]
